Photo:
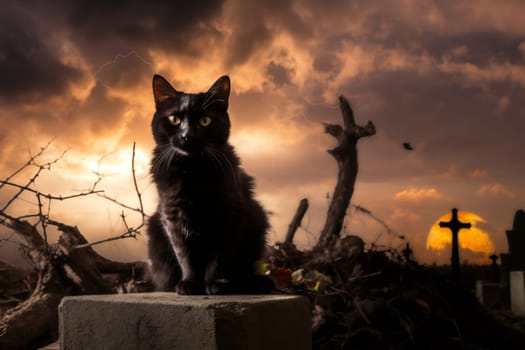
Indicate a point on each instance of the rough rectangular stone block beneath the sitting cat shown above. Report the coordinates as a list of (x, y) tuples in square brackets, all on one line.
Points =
[(170, 321)]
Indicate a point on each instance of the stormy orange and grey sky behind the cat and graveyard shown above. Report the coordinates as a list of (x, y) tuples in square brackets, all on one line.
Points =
[(448, 77)]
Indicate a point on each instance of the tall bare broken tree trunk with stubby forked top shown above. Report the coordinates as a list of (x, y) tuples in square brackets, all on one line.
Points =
[(345, 153)]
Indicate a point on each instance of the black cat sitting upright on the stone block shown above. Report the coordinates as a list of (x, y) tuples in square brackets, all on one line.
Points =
[(208, 230)]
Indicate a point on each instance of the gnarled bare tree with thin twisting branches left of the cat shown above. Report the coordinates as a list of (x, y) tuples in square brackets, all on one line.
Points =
[(67, 267)]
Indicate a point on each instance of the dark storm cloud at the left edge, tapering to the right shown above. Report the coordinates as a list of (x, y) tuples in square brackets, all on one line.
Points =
[(31, 70)]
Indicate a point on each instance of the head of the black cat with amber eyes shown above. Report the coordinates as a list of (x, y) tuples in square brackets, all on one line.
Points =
[(189, 124)]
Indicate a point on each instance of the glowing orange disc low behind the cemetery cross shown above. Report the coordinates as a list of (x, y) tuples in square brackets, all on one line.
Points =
[(475, 240)]
